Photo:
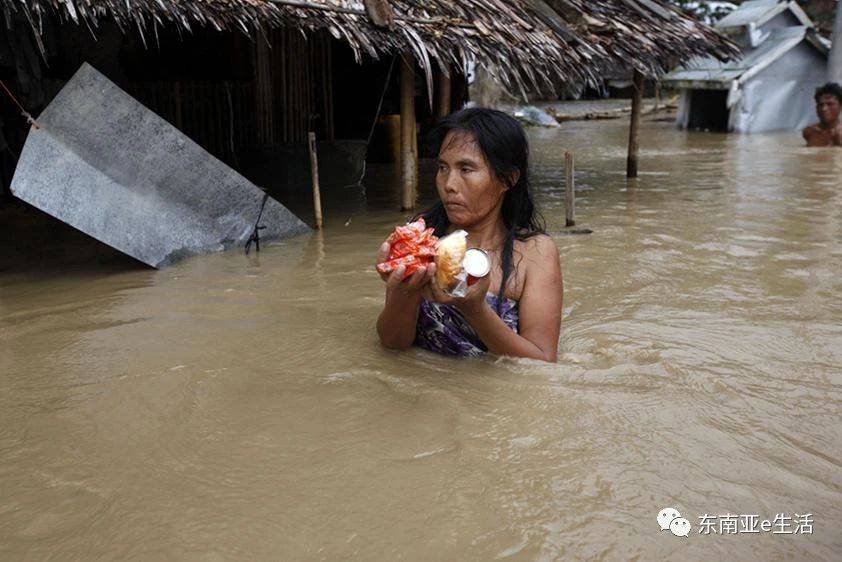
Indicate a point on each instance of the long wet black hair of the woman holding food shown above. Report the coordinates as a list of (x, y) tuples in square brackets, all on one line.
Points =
[(502, 141)]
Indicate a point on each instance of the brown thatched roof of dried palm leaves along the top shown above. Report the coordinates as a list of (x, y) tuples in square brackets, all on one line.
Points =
[(524, 42)]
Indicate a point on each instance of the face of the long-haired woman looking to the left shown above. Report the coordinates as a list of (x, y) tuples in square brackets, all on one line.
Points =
[(467, 186)]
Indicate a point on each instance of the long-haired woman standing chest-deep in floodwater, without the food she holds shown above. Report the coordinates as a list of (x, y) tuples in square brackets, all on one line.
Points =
[(483, 187)]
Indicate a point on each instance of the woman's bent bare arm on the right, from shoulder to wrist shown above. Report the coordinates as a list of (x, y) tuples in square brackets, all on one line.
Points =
[(539, 308)]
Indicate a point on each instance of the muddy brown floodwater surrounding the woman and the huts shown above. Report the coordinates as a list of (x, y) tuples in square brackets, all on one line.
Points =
[(237, 408)]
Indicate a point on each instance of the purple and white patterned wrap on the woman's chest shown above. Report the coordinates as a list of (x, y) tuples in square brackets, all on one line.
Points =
[(443, 329)]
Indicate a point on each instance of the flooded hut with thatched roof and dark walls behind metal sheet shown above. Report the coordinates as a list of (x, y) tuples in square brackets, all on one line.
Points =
[(249, 79)]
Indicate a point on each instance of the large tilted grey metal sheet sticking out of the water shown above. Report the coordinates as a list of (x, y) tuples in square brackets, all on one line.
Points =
[(106, 165)]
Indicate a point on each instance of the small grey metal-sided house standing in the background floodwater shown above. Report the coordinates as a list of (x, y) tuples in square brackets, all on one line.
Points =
[(770, 87)]
